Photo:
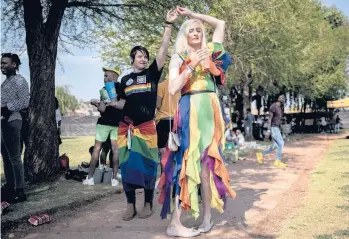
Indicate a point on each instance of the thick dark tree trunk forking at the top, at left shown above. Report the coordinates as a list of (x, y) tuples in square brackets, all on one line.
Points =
[(42, 40)]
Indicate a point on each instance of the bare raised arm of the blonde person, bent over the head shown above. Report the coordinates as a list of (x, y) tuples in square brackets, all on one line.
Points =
[(216, 24)]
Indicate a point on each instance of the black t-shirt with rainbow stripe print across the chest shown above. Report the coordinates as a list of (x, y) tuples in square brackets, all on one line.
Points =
[(140, 91)]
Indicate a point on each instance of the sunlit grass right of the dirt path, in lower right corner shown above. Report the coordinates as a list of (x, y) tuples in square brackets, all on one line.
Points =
[(325, 214)]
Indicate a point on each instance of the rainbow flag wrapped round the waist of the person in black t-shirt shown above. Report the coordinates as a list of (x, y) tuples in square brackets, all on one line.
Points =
[(139, 164)]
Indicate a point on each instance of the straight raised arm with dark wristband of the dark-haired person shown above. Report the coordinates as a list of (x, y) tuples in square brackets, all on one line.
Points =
[(162, 54)]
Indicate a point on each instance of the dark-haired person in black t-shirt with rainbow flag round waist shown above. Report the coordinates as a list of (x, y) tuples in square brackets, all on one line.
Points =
[(137, 139)]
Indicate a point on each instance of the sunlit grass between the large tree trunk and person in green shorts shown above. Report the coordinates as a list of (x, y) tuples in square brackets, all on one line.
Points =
[(77, 149)]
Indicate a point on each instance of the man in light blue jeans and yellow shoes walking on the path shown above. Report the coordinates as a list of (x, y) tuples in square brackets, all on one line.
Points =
[(274, 123)]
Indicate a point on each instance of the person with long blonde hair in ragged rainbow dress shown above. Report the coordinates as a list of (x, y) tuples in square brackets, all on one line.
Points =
[(195, 69)]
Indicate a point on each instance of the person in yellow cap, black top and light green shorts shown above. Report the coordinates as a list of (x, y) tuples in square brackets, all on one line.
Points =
[(107, 125)]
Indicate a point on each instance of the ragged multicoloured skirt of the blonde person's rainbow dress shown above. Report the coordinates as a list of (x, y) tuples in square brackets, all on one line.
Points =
[(202, 142)]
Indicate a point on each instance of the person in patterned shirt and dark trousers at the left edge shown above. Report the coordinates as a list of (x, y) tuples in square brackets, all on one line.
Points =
[(14, 98)]
